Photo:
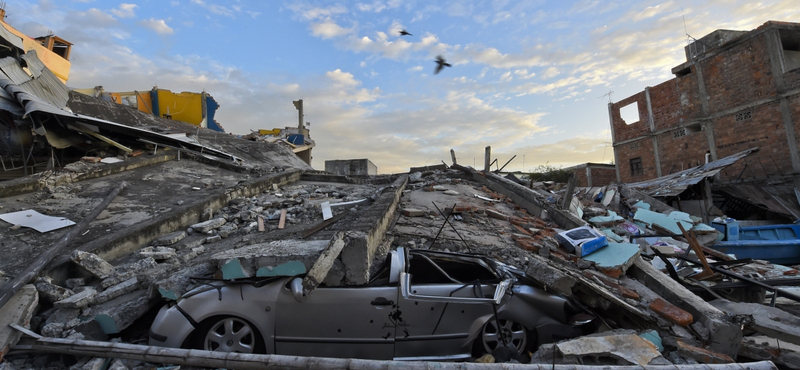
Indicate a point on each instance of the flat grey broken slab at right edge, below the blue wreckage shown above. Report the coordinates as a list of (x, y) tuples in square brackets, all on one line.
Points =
[(770, 321)]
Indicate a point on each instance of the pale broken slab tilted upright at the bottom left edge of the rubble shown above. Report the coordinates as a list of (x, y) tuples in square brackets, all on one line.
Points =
[(19, 310)]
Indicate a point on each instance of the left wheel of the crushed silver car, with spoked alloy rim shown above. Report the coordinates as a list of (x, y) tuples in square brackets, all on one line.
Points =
[(228, 334)]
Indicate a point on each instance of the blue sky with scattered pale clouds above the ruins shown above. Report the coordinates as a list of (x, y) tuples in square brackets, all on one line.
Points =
[(528, 78)]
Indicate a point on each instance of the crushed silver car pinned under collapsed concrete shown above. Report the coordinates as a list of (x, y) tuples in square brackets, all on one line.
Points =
[(421, 305)]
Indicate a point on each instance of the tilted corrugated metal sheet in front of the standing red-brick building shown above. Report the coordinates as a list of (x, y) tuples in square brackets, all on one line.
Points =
[(675, 183)]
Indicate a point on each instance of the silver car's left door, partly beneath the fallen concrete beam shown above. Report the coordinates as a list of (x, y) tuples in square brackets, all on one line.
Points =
[(344, 322)]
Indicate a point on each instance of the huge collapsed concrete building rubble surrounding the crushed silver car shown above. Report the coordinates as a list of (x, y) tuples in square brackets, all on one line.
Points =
[(136, 210)]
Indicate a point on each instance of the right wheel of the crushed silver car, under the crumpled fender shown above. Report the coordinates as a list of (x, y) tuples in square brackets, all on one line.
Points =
[(490, 339)]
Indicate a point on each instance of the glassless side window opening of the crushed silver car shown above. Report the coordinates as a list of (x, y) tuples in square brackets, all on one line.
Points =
[(440, 269)]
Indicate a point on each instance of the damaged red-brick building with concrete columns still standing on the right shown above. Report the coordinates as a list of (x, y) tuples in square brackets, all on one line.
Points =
[(737, 90)]
